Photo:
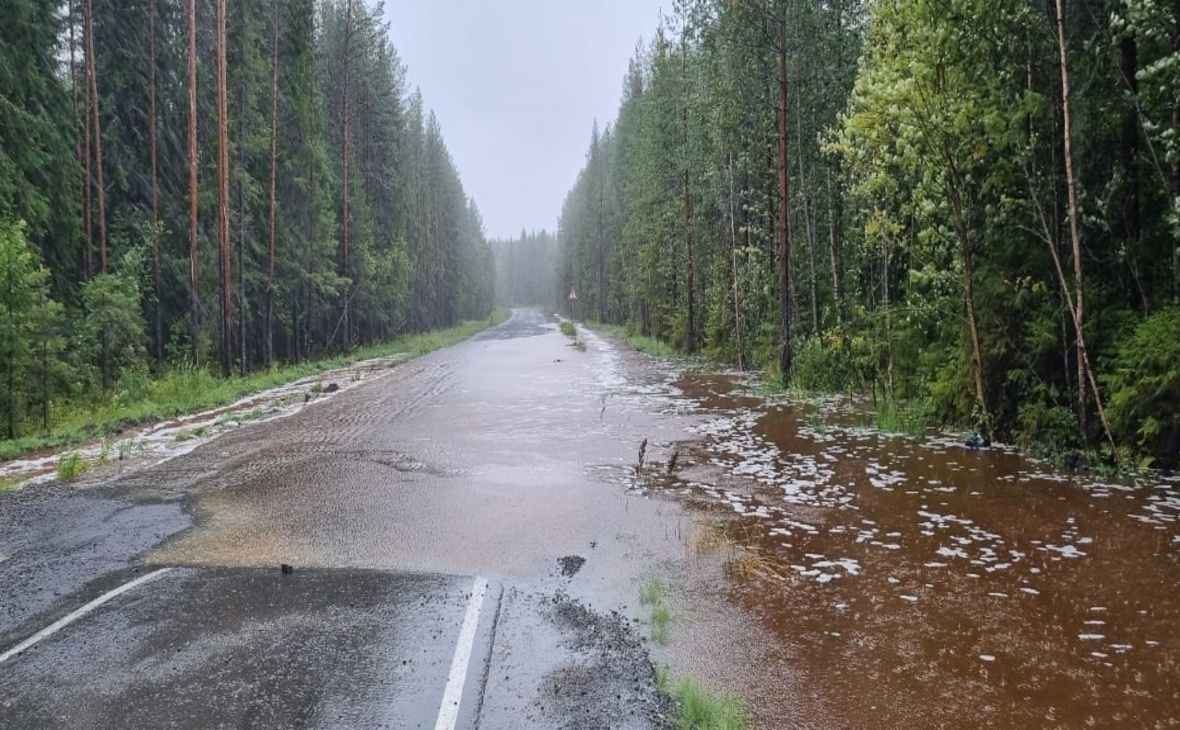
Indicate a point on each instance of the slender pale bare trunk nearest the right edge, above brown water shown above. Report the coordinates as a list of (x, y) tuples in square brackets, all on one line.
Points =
[(1085, 372)]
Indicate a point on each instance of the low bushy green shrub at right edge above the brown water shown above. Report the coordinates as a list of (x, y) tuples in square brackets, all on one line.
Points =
[(1145, 386)]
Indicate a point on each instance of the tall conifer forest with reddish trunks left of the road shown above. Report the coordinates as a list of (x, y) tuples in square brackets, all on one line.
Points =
[(196, 182)]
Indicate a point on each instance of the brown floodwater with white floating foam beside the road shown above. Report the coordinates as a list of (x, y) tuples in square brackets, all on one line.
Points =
[(922, 584)]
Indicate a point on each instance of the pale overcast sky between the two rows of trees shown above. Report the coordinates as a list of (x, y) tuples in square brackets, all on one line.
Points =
[(517, 86)]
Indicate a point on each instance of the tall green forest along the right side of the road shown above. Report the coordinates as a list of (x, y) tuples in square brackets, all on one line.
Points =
[(972, 208)]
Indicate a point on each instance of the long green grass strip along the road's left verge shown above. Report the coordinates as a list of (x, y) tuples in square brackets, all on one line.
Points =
[(186, 391)]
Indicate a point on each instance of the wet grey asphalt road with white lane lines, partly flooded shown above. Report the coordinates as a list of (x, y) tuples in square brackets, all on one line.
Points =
[(397, 501)]
